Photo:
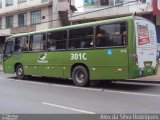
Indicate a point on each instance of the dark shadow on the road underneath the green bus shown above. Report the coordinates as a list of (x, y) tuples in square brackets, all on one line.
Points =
[(115, 85)]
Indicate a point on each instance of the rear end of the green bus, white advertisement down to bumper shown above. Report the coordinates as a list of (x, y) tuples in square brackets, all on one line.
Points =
[(146, 47)]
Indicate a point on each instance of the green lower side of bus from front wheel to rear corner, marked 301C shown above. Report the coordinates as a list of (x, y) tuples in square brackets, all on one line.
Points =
[(102, 64)]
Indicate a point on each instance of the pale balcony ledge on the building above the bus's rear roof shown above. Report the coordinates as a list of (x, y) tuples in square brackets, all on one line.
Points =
[(112, 11)]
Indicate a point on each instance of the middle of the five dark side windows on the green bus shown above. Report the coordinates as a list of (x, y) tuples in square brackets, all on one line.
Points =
[(57, 39)]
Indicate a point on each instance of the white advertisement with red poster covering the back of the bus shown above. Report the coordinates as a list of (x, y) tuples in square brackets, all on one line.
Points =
[(146, 43)]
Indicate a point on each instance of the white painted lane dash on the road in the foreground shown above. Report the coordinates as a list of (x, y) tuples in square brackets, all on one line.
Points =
[(67, 108)]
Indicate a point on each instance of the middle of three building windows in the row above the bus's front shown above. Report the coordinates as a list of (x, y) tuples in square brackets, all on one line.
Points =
[(22, 19)]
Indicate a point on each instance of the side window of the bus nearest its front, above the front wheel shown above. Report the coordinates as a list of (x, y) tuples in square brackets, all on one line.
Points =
[(21, 44)]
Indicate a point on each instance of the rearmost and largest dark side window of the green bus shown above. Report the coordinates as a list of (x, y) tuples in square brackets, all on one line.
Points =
[(111, 35)]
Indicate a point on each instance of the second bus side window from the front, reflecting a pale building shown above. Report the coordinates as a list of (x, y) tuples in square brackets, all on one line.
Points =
[(38, 42)]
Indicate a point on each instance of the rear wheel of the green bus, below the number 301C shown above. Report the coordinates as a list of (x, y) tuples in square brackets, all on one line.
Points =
[(80, 76)]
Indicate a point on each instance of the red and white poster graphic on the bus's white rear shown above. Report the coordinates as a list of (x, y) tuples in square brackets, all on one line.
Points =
[(143, 35)]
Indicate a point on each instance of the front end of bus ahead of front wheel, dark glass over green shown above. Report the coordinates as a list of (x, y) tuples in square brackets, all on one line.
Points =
[(8, 54)]
